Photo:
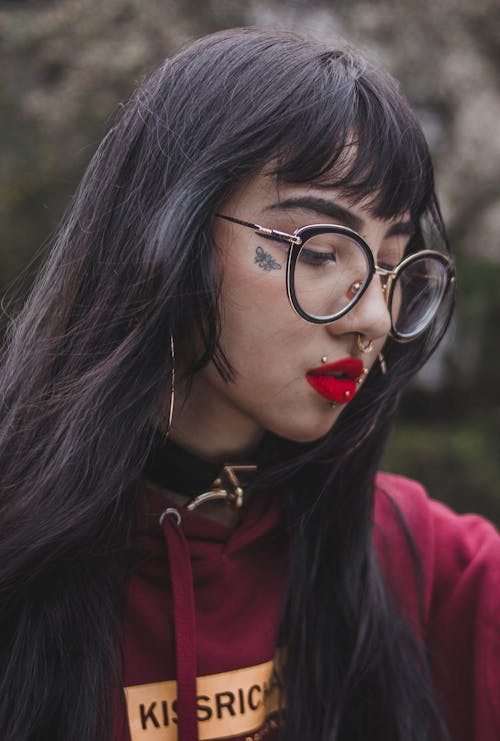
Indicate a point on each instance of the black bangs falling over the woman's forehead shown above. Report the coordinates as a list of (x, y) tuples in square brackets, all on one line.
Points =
[(358, 134)]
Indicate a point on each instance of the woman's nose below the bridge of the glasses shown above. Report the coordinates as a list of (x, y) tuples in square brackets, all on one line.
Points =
[(369, 317)]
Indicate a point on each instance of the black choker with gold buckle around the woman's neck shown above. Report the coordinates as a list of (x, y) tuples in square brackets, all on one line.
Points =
[(174, 468)]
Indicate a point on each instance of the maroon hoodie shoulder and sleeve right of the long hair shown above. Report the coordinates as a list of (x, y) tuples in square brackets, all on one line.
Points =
[(443, 570)]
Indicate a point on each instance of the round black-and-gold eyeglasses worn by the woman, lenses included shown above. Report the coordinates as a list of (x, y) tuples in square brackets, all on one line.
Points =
[(329, 267)]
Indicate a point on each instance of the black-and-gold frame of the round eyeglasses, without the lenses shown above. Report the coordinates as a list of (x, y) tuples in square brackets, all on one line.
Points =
[(302, 234)]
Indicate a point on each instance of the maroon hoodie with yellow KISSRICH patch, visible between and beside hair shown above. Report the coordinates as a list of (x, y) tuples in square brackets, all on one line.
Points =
[(204, 605)]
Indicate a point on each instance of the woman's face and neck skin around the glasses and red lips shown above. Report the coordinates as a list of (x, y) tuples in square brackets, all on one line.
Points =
[(270, 347)]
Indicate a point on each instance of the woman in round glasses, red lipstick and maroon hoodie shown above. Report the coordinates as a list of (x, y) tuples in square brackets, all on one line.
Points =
[(254, 267)]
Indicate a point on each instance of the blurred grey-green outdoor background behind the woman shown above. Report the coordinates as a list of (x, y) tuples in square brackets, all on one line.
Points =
[(65, 66)]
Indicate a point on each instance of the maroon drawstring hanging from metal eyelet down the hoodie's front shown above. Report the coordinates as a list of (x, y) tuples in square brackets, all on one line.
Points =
[(181, 576)]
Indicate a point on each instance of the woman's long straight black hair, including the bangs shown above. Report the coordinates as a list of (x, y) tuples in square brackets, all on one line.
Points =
[(87, 362)]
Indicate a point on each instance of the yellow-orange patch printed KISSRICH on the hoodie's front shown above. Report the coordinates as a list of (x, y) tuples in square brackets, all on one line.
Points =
[(228, 704)]
